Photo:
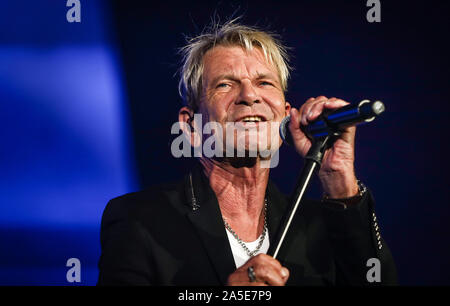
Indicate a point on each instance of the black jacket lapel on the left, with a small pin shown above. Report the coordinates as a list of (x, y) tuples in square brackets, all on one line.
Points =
[(206, 218)]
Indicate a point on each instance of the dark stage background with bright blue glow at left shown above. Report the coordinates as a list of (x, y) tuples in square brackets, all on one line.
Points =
[(86, 110)]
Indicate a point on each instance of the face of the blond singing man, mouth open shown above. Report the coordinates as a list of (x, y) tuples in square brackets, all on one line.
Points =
[(242, 87)]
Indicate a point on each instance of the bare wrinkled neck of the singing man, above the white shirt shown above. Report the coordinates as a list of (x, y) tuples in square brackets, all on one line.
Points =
[(240, 191)]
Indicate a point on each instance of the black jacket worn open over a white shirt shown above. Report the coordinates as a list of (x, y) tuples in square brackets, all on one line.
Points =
[(158, 237)]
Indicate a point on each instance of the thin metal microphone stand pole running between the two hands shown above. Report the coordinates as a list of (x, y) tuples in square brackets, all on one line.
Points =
[(312, 160)]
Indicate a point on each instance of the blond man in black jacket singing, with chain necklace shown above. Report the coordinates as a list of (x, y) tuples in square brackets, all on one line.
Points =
[(216, 225)]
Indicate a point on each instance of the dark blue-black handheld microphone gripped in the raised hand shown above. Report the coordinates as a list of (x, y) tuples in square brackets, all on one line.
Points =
[(335, 120)]
